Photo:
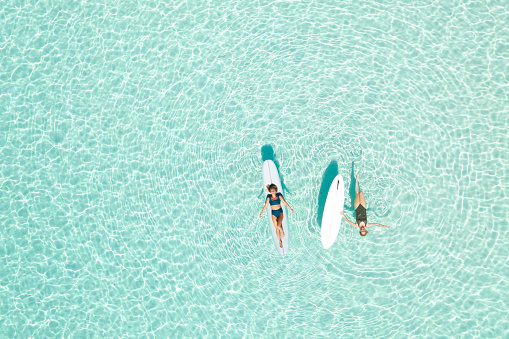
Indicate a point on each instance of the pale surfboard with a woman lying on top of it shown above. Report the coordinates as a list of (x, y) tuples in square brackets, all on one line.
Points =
[(271, 176)]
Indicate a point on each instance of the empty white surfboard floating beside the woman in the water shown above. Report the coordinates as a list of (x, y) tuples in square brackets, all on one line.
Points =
[(331, 213)]
